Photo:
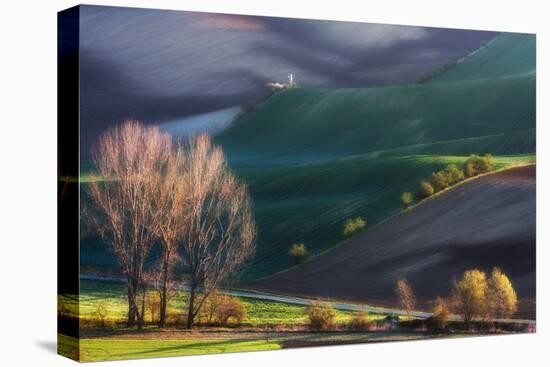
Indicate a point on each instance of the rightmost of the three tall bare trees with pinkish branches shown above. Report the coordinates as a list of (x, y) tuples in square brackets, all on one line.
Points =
[(218, 232)]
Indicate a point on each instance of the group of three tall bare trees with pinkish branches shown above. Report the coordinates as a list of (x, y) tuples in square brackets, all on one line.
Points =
[(151, 189)]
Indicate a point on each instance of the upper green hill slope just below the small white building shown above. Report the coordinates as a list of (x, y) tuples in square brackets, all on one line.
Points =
[(305, 124)]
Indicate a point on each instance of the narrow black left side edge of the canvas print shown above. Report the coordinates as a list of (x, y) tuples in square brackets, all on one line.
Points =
[(68, 178)]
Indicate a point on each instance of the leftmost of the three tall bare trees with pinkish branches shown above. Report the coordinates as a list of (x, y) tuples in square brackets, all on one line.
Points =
[(128, 160)]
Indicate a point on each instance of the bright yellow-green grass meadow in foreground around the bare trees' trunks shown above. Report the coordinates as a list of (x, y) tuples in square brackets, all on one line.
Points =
[(259, 313)]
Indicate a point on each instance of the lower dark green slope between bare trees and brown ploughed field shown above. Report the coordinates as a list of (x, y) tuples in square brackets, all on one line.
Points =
[(309, 203)]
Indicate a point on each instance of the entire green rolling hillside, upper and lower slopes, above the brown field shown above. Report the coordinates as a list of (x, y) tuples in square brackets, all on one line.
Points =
[(315, 157)]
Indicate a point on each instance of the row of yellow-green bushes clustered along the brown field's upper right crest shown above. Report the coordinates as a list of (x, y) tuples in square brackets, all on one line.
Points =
[(449, 176)]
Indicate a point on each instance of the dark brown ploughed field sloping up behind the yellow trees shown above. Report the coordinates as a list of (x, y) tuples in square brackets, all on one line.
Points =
[(484, 223)]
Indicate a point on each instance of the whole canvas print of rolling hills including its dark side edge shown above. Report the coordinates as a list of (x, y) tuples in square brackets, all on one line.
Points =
[(232, 183)]
